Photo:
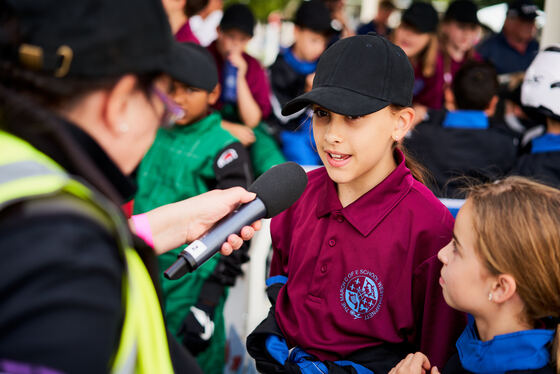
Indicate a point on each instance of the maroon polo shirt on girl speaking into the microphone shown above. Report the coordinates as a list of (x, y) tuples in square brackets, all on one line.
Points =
[(365, 274)]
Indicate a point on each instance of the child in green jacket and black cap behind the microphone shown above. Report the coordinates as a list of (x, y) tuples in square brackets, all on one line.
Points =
[(195, 156)]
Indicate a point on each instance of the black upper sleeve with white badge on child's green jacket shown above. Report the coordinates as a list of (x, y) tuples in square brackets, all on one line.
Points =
[(232, 167)]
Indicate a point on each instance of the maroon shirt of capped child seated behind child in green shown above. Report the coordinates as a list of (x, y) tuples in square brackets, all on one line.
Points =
[(256, 79)]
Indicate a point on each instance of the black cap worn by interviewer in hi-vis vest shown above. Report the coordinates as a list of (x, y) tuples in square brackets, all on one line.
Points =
[(89, 38)]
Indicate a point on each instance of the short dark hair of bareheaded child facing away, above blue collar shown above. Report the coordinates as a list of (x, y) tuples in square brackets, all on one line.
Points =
[(474, 85)]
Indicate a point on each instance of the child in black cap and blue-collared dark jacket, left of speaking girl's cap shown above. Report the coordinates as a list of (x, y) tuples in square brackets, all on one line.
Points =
[(290, 76)]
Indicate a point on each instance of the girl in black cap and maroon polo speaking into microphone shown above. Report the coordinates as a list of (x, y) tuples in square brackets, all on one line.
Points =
[(354, 275)]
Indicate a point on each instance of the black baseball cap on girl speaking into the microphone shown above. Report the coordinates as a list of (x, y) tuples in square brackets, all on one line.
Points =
[(357, 76)]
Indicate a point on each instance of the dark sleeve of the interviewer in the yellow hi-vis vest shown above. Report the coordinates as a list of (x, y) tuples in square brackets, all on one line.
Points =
[(61, 293)]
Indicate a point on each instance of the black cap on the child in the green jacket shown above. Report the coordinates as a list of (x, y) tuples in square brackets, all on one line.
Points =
[(200, 68)]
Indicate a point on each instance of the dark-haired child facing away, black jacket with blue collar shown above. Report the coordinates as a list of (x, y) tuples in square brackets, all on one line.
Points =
[(465, 141)]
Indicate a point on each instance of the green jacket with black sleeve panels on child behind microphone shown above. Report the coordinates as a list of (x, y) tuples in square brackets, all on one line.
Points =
[(183, 162)]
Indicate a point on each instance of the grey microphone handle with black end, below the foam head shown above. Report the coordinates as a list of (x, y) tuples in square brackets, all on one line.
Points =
[(204, 248)]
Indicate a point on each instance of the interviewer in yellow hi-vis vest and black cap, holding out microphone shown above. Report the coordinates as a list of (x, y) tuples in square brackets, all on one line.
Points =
[(81, 98)]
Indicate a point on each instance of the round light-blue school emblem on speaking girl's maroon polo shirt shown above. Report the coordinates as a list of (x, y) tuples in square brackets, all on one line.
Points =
[(361, 294)]
